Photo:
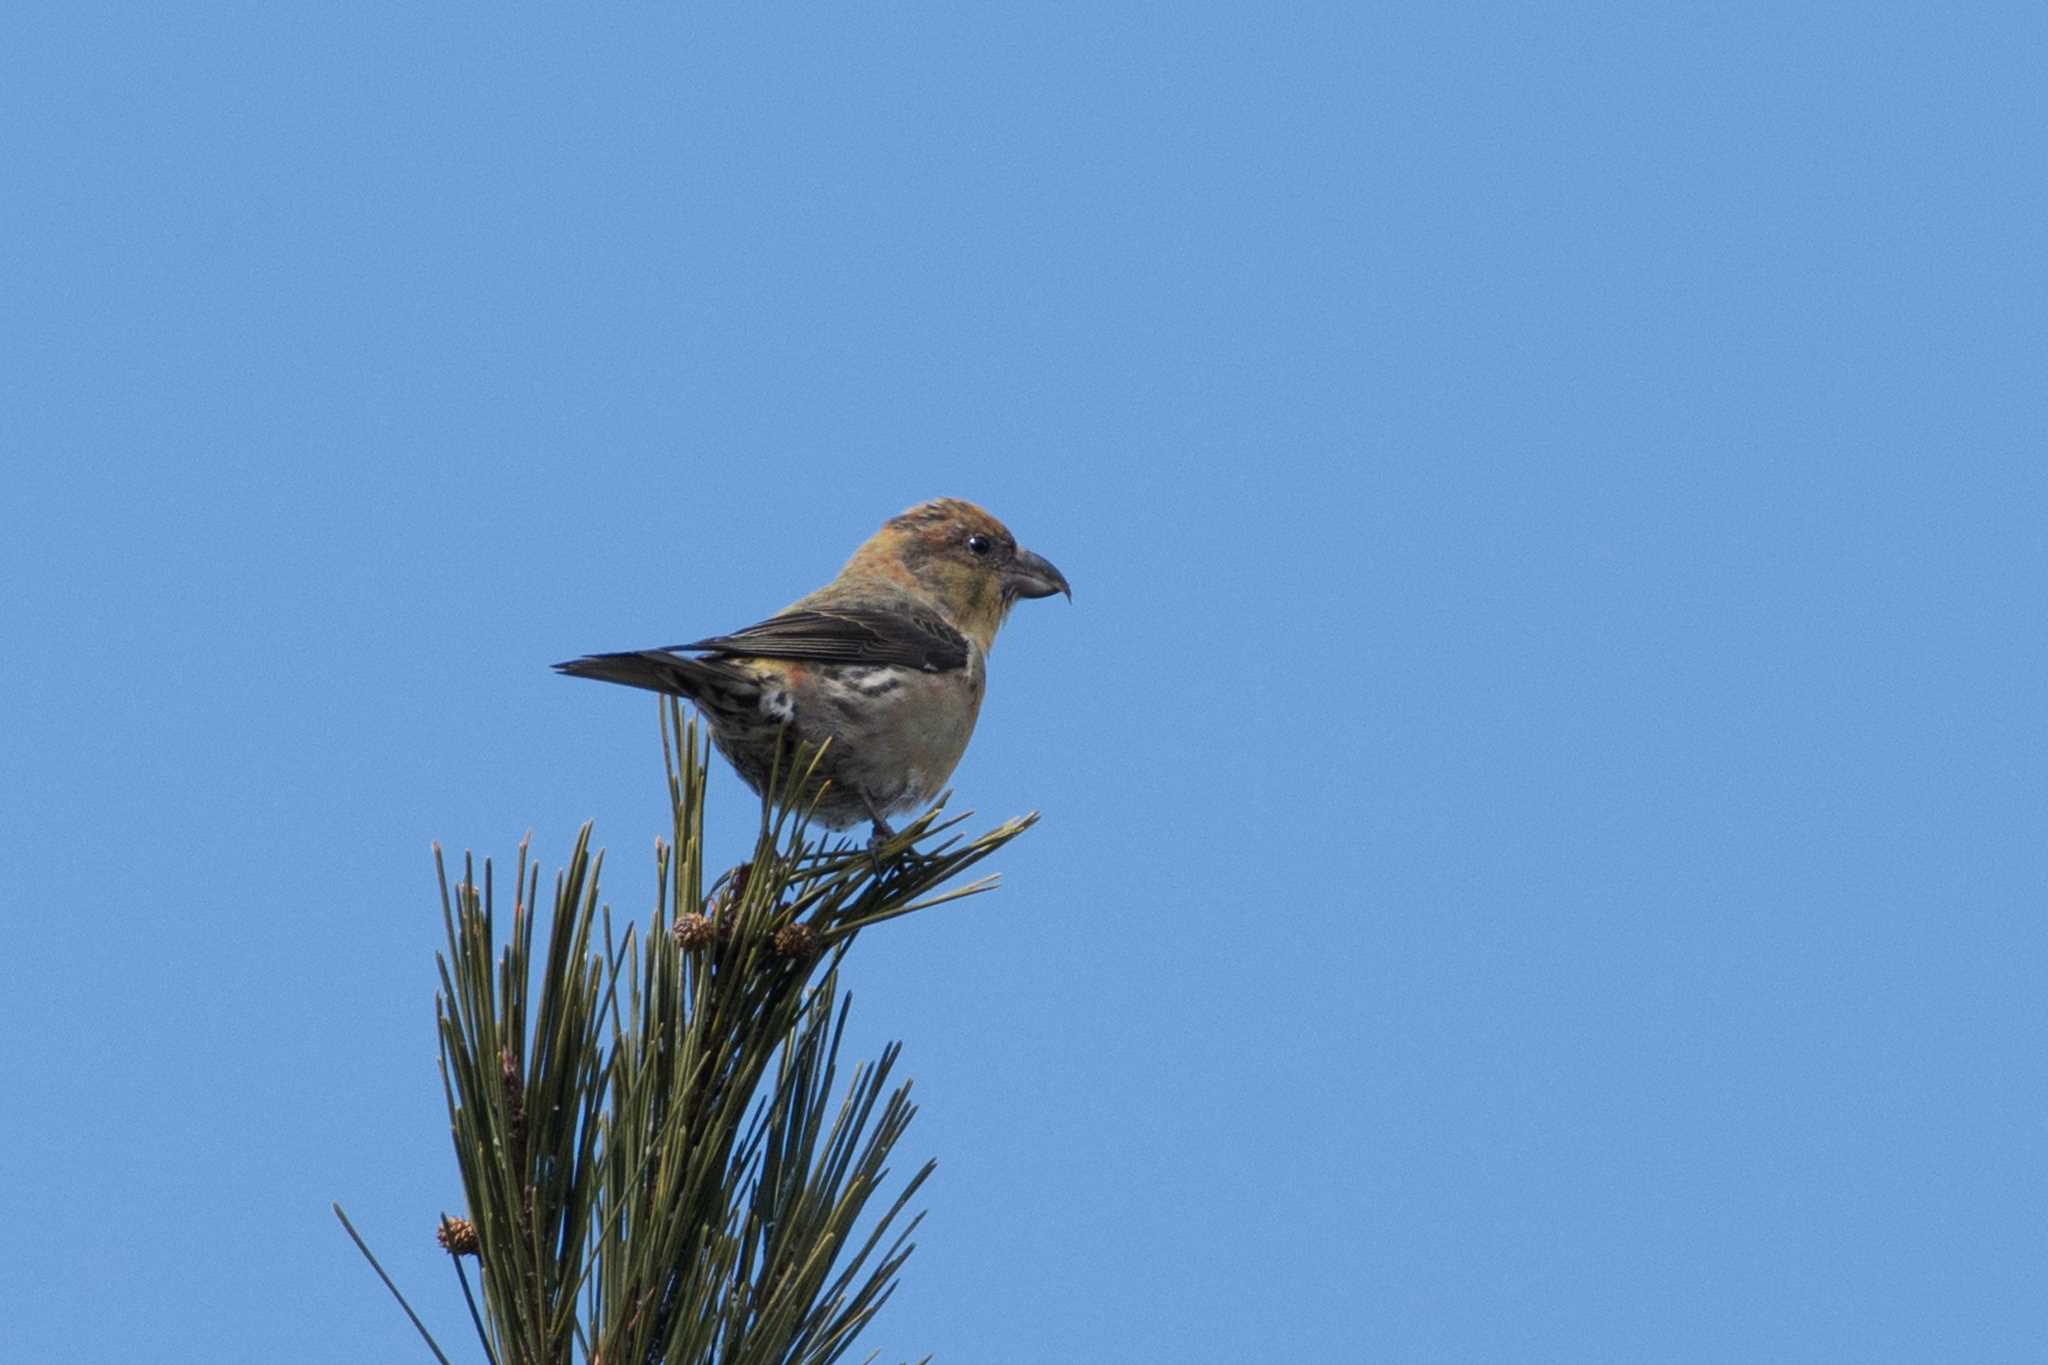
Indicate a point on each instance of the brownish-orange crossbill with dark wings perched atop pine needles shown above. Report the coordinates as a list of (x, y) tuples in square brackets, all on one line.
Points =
[(888, 662)]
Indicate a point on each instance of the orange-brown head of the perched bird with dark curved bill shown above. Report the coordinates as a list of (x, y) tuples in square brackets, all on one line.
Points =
[(964, 560)]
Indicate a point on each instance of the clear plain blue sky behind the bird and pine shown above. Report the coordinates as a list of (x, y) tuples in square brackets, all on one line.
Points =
[(1543, 773)]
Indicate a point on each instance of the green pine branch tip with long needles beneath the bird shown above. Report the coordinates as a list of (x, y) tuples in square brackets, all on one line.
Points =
[(660, 1161)]
